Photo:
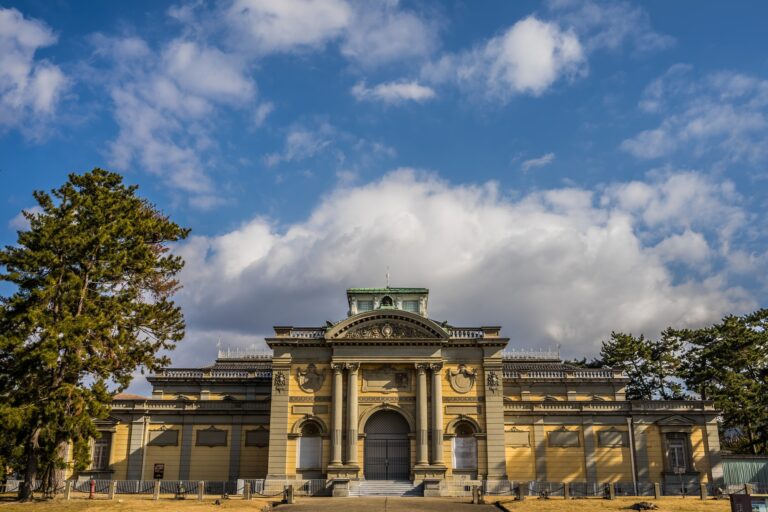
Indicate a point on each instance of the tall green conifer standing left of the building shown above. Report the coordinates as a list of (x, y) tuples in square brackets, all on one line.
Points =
[(93, 280)]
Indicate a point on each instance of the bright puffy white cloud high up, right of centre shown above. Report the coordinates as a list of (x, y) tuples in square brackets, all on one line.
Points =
[(528, 58)]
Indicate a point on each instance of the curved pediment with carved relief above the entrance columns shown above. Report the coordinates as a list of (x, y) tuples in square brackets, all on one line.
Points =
[(392, 325)]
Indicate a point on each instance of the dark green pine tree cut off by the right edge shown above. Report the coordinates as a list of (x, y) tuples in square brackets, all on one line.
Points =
[(728, 363)]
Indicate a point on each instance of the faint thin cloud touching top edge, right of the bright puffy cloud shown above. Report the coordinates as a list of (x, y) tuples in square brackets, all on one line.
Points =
[(610, 25)]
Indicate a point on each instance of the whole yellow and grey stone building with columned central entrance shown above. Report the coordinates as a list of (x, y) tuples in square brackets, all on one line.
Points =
[(389, 394)]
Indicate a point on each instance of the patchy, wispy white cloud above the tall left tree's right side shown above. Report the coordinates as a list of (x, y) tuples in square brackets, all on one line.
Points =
[(165, 105)]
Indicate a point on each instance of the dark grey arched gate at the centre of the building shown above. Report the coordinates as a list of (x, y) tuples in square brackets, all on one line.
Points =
[(387, 447)]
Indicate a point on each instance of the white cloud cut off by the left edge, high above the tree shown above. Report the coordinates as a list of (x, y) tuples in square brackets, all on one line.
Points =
[(30, 88)]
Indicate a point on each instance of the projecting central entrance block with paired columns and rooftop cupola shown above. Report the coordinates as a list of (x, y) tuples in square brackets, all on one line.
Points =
[(386, 362)]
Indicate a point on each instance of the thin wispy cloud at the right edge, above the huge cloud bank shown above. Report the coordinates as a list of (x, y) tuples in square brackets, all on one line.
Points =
[(721, 115)]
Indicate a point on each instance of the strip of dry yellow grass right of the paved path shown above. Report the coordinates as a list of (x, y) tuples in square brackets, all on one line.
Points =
[(689, 504)]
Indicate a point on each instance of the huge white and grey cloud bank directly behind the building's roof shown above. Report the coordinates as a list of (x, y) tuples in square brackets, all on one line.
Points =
[(556, 266)]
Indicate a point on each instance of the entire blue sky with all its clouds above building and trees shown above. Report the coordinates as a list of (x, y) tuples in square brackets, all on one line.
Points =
[(560, 168)]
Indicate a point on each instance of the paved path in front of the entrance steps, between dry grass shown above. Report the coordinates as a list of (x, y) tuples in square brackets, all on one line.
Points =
[(383, 504)]
